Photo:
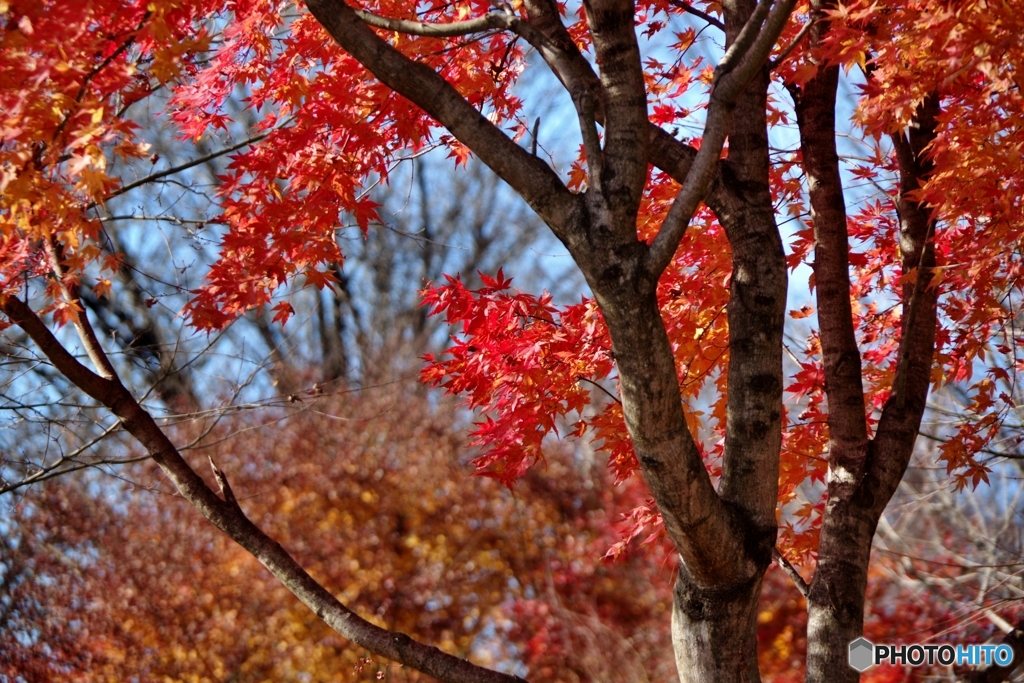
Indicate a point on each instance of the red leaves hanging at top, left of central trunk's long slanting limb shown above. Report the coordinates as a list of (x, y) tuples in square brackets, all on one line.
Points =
[(328, 127)]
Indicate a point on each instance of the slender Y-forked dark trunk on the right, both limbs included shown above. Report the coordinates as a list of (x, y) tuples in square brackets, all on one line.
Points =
[(864, 473)]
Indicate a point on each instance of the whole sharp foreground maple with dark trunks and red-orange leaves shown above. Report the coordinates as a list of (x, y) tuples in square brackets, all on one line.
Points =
[(914, 286)]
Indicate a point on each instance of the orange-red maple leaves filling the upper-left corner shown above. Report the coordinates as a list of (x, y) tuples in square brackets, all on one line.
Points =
[(69, 71)]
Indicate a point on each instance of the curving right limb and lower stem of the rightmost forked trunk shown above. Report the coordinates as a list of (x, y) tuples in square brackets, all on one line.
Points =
[(859, 494)]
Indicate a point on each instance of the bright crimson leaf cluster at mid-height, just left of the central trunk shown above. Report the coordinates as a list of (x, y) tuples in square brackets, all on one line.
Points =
[(522, 360)]
